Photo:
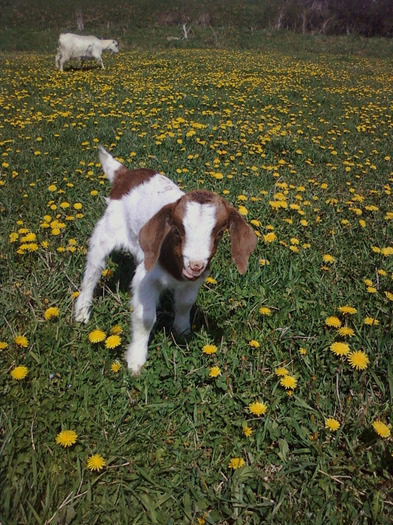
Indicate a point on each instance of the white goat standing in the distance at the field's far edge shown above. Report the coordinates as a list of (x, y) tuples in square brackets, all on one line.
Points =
[(79, 46)]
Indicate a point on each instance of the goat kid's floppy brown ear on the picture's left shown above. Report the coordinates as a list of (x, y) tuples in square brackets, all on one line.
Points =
[(152, 235)]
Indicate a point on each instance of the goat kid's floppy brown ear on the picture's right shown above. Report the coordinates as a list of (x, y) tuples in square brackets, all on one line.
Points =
[(243, 240)]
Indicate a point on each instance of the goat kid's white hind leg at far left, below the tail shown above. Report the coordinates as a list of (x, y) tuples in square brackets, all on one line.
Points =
[(101, 245)]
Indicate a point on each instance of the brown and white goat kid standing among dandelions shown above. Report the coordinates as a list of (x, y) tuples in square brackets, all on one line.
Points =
[(171, 234)]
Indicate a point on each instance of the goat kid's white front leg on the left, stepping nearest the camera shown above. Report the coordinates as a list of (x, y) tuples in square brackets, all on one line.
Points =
[(146, 293)]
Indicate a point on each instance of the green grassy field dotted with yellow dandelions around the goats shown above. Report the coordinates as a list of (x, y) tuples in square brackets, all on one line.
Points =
[(296, 426)]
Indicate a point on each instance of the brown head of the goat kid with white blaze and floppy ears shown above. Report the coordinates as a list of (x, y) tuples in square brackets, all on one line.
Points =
[(184, 235)]
